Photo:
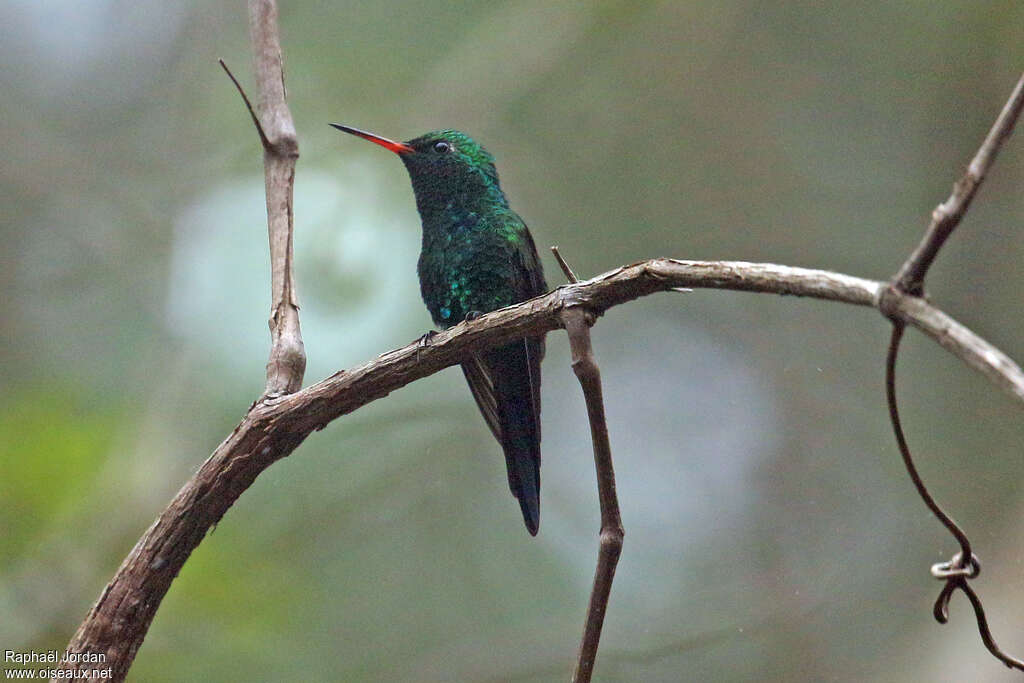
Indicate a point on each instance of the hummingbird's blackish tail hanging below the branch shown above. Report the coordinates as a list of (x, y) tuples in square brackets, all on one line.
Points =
[(516, 375)]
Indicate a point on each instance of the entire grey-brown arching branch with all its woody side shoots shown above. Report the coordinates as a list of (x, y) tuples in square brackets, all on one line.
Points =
[(283, 418)]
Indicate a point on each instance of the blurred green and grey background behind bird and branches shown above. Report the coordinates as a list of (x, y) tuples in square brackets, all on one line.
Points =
[(772, 532)]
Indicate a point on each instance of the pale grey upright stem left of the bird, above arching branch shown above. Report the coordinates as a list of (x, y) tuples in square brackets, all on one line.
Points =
[(287, 363)]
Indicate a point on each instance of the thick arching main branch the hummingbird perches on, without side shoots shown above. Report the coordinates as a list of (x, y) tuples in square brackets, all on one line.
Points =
[(275, 426)]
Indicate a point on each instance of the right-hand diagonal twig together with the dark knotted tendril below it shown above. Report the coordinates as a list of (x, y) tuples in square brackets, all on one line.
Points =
[(909, 284)]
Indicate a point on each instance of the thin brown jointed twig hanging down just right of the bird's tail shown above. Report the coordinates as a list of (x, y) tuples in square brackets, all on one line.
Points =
[(611, 545)]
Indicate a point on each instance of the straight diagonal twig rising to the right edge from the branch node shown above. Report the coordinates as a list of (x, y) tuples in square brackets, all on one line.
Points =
[(947, 218)]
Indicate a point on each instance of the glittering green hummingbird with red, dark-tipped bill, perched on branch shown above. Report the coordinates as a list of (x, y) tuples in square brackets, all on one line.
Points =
[(479, 257)]
